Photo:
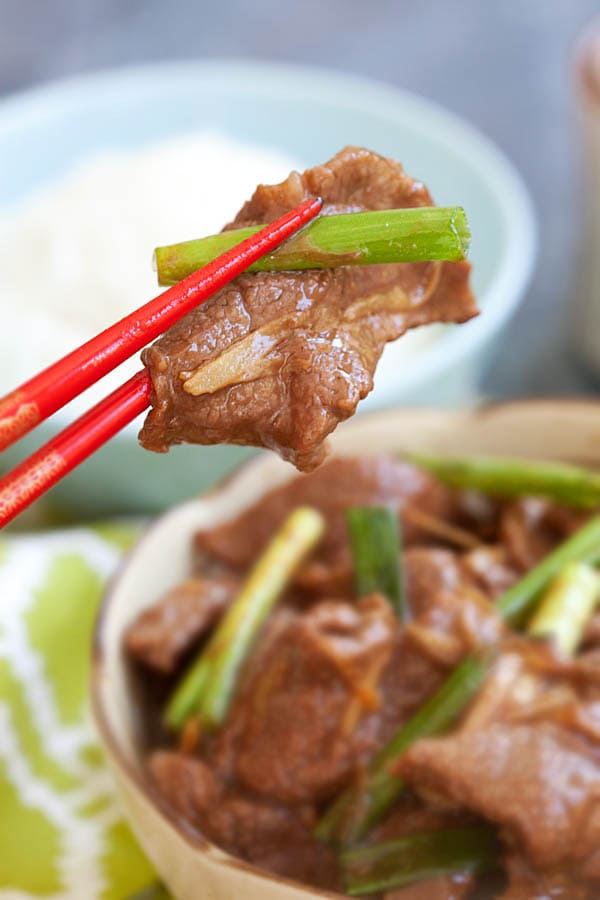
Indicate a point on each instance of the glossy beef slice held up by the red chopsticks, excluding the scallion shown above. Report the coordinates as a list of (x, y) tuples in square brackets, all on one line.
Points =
[(278, 359)]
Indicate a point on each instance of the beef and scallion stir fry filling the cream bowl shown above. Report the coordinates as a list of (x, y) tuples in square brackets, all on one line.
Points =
[(383, 679)]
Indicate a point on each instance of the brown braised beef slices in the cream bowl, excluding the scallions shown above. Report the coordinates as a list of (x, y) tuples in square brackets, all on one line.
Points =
[(332, 677)]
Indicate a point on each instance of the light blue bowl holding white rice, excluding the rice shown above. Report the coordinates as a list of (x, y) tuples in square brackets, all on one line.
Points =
[(310, 113)]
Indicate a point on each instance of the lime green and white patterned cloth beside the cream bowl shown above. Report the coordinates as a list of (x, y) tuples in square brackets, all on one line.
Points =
[(61, 832)]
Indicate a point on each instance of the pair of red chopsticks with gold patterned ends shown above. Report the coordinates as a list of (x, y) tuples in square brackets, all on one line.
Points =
[(38, 398)]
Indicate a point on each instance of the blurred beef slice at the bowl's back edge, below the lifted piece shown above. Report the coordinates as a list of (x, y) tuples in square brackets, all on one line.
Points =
[(341, 483)]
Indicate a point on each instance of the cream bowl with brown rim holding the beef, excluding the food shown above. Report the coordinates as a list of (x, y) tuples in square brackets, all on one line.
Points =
[(191, 866)]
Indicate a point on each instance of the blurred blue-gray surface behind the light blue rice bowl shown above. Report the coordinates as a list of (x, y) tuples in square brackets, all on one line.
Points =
[(505, 66)]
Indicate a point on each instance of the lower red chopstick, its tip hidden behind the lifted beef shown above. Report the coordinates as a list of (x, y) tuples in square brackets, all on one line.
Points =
[(35, 475)]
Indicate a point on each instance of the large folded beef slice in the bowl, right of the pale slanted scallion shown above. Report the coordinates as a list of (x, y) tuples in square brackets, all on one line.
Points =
[(296, 732)]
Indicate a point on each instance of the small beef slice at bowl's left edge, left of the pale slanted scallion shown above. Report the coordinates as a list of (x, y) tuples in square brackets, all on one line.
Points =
[(161, 634)]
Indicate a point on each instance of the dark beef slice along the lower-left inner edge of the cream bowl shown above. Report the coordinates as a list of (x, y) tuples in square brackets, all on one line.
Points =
[(267, 834)]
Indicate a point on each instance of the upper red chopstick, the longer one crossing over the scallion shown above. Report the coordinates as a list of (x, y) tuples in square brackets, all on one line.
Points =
[(42, 395)]
